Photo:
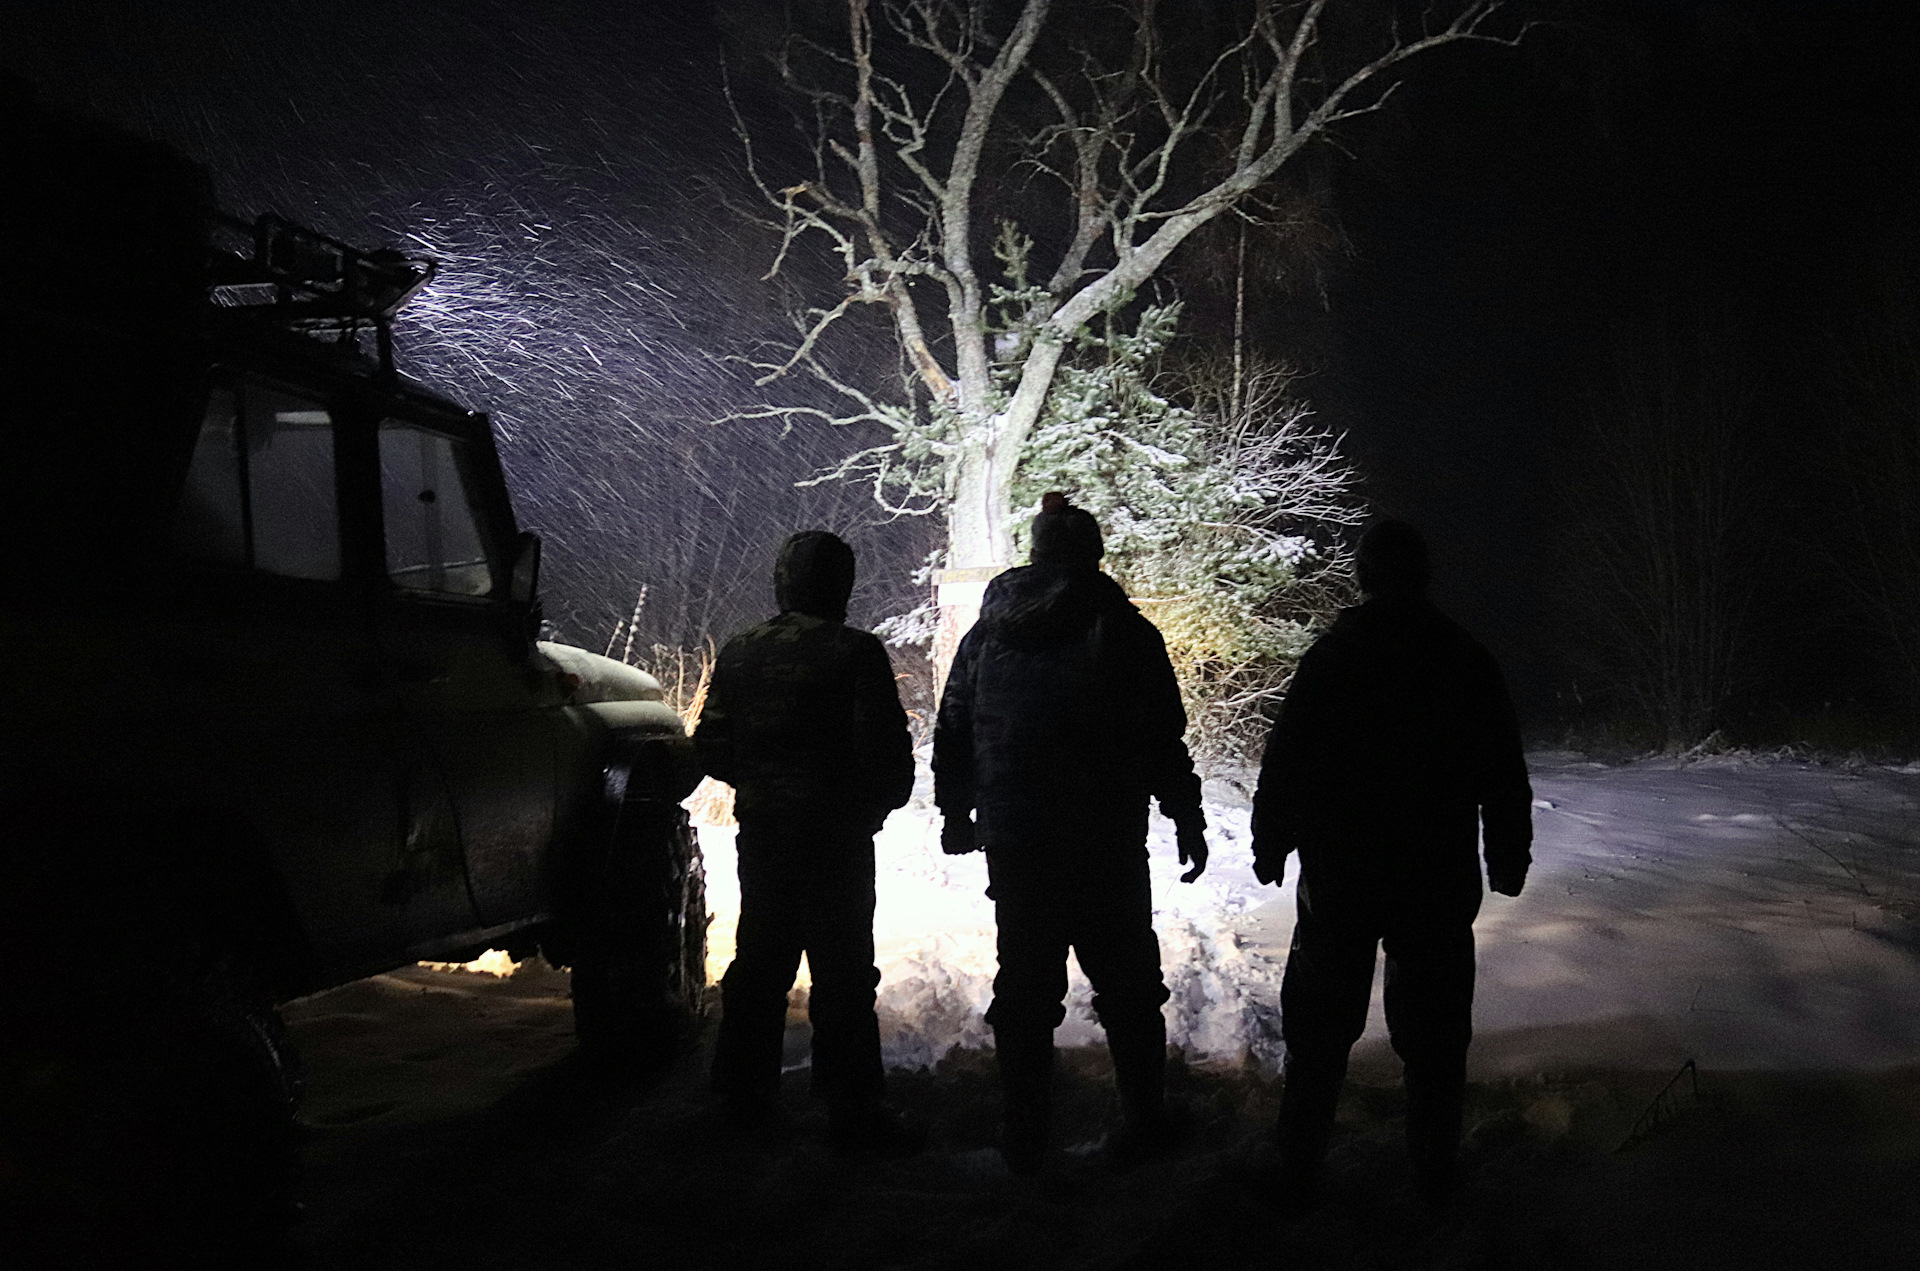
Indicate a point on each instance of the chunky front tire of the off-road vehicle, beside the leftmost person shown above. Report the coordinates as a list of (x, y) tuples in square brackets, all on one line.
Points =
[(640, 953)]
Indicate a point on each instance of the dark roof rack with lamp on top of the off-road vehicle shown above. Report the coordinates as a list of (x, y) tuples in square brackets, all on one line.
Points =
[(312, 283)]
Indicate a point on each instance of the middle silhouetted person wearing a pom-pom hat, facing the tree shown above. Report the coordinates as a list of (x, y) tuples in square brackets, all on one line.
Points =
[(1059, 721)]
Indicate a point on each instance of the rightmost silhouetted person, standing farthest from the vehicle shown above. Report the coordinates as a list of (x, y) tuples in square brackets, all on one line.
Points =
[(1395, 752)]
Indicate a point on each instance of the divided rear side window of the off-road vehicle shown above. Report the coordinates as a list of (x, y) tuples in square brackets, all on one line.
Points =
[(260, 491)]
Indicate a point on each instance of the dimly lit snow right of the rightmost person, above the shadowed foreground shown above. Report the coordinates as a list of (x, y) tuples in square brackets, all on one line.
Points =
[(1739, 913)]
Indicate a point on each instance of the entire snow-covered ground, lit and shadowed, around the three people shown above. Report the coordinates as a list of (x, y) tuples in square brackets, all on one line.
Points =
[(1754, 917)]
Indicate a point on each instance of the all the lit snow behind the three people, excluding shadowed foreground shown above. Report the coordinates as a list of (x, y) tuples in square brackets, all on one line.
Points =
[(1746, 915)]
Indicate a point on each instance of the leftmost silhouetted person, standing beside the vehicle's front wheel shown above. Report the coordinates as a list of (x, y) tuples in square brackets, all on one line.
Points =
[(805, 723)]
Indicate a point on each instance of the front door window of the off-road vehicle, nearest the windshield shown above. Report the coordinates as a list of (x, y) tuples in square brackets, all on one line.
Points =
[(433, 533)]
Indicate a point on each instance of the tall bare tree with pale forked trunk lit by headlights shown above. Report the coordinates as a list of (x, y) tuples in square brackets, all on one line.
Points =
[(1149, 124)]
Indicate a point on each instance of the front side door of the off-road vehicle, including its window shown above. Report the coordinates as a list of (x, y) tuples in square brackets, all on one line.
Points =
[(462, 658)]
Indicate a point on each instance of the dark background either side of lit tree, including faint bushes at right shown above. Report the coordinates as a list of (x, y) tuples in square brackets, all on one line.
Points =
[(1625, 318)]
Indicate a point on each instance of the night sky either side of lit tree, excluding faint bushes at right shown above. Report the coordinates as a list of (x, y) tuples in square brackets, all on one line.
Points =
[(1497, 226)]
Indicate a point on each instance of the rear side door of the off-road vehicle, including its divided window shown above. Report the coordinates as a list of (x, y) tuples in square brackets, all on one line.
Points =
[(274, 673)]
